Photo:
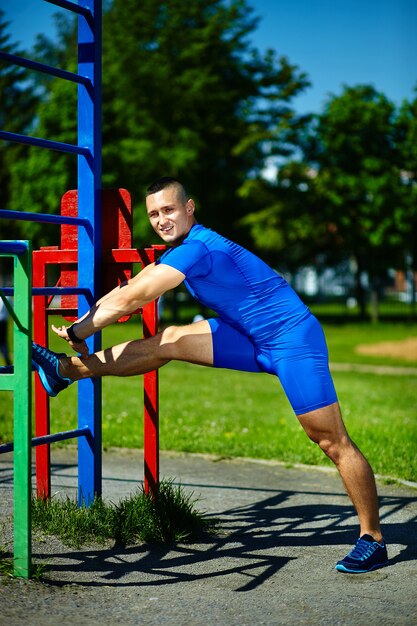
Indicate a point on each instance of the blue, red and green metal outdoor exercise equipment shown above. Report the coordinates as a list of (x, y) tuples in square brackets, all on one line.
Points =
[(84, 244)]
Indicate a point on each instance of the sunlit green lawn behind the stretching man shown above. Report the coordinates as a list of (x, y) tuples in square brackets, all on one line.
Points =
[(238, 414)]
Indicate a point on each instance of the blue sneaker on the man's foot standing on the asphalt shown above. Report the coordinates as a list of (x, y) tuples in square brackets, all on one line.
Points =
[(366, 556)]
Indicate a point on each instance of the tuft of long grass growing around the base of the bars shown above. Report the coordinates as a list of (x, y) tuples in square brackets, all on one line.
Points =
[(169, 517)]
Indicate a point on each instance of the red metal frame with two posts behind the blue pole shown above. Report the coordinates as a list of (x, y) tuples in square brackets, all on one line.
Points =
[(117, 266)]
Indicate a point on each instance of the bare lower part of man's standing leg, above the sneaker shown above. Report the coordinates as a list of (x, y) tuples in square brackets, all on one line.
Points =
[(326, 428)]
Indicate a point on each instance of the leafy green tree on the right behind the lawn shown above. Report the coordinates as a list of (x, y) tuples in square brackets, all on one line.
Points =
[(351, 193)]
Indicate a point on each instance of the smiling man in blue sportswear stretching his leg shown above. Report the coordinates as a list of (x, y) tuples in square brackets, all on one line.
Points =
[(262, 326)]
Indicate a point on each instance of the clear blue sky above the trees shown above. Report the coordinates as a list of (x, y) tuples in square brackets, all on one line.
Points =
[(336, 42)]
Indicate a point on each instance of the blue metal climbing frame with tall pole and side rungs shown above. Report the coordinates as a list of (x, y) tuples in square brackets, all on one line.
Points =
[(88, 151)]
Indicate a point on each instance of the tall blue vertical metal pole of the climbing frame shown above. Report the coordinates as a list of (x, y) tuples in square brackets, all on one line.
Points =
[(89, 241)]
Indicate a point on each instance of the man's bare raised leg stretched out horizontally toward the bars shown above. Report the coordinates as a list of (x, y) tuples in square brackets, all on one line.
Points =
[(192, 343)]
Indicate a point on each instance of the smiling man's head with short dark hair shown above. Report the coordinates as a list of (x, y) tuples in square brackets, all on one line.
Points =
[(171, 214)]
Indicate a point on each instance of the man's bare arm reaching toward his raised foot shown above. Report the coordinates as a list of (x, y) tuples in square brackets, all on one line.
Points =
[(149, 284)]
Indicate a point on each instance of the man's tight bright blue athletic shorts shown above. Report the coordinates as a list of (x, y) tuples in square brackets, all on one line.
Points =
[(298, 357)]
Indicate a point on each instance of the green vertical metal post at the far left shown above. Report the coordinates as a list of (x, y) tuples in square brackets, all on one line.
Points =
[(22, 397)]
